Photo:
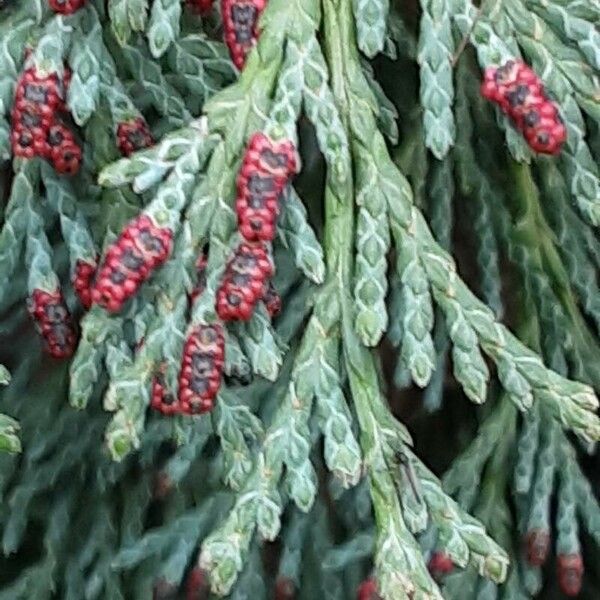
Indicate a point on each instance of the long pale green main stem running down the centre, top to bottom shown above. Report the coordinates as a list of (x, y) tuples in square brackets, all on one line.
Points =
[(377, 425)]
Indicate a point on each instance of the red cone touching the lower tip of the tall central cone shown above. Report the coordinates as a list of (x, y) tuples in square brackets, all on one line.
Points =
[(244, 282)]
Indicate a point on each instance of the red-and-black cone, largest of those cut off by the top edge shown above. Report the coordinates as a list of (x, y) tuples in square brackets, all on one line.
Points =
[(240, 25)]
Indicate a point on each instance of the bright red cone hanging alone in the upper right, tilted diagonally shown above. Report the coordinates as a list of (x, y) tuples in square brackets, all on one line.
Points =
[(519, 92)]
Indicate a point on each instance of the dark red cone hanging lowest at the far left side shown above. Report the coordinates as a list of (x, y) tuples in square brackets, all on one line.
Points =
[(53, 322)]
